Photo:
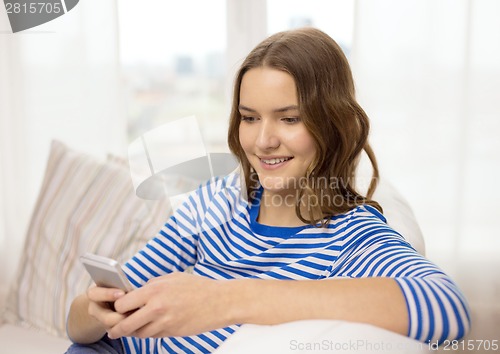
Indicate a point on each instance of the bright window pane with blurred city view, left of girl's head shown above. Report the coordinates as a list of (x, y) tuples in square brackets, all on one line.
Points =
[(173, 63)]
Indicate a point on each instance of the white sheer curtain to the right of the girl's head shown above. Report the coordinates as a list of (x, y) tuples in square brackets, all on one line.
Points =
[(428, 74)]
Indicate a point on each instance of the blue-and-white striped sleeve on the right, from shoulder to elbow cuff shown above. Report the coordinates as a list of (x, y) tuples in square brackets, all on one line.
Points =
[(437, 308)]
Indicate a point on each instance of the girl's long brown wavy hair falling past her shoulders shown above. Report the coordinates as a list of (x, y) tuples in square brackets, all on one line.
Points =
[(330, 112)]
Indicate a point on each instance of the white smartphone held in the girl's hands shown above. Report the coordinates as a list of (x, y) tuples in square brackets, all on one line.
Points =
[(106, 272)]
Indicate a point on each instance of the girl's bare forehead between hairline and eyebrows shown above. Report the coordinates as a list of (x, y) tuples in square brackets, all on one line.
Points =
[(267, 88)]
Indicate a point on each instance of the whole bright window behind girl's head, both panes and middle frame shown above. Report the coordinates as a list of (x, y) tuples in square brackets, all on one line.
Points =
[(176, 63)]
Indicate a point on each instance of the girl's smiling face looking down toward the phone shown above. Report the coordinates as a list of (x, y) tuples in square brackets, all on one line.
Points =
[(275, 140)]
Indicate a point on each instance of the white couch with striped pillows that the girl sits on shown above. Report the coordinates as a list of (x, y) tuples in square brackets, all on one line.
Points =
[(89, 205)]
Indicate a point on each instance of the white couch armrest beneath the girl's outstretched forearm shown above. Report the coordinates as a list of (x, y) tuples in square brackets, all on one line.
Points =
[(319, 336)]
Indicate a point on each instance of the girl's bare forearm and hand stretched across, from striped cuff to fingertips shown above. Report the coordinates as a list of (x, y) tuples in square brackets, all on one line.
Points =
[(180, 304)]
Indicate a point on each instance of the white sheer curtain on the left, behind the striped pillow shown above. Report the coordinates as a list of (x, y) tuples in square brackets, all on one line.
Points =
[(57, 81)]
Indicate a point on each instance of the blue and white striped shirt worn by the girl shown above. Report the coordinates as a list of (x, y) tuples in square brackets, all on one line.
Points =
[(216, 232)]
